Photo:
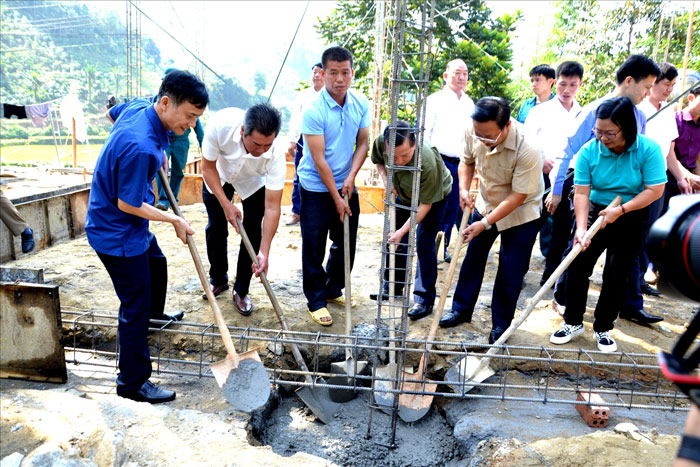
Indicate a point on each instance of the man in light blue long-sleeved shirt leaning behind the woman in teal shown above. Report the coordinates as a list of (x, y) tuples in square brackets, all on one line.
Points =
[(635, 78)]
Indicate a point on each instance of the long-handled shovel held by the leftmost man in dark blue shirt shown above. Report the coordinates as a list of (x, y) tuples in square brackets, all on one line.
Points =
[(241, 377)]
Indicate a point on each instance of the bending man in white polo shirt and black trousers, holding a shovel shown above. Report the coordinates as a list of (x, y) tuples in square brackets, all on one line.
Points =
[(240, 154)]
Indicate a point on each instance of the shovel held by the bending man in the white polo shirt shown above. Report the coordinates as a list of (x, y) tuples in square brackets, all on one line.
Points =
[(315, 398)]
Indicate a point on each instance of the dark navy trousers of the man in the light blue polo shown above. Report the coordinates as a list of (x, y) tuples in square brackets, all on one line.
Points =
[(320, 221)]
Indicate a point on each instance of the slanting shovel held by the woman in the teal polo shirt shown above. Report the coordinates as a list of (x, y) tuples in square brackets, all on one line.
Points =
[(470, 370)]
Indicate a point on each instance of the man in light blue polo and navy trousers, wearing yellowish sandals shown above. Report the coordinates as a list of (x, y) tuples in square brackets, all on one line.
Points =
[(336, 140)]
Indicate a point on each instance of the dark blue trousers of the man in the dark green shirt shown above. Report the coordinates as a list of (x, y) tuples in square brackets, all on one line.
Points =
[(426, 271)]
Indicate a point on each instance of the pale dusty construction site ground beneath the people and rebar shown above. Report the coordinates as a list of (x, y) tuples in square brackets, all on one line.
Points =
[(84, 423)]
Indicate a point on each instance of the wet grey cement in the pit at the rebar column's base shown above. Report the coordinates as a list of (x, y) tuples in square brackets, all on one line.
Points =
[(292, 428)]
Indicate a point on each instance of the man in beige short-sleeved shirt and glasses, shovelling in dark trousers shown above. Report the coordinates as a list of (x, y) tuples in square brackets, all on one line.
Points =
[(508, 204)]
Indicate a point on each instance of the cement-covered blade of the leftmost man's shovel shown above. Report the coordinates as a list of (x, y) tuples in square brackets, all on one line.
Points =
[(246, 387)]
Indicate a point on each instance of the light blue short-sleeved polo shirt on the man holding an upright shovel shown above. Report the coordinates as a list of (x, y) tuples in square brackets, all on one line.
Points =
[(339, 127)]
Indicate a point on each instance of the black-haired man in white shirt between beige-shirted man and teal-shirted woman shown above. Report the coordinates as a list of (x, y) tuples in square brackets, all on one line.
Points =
[(547, 126)]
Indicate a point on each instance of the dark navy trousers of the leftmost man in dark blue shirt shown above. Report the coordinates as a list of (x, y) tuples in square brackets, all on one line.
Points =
[(140, 283)]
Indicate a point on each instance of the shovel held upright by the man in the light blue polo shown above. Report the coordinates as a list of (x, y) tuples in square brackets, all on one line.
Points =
[(347, 370)]
